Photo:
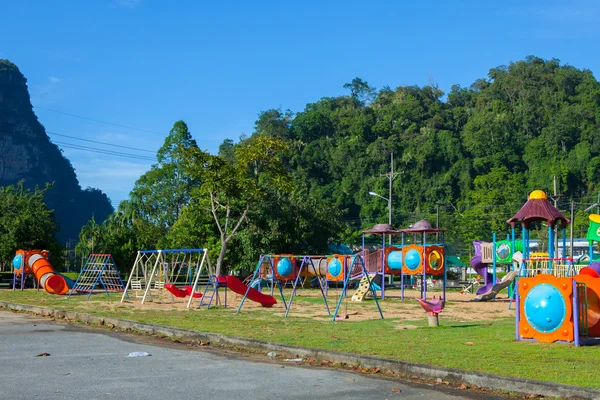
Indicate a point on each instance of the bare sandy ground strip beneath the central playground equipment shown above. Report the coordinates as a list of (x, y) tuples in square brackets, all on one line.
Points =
[(308, 303)]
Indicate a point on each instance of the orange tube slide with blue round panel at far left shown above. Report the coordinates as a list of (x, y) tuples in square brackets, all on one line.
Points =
[(36, 262)]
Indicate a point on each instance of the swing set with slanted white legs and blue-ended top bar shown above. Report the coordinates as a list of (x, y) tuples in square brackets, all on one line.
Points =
[(154, 269)]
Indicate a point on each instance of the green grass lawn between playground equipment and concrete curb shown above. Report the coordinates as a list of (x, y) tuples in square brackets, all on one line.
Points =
[(485, 346)]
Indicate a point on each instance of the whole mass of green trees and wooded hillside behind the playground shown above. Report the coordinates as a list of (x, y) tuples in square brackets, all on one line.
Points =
[(473, 154)]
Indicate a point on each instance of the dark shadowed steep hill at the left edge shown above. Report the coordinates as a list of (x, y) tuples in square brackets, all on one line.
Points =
[(27, 154)]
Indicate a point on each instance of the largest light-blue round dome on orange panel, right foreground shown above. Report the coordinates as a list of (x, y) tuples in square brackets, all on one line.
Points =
[(545, 308)]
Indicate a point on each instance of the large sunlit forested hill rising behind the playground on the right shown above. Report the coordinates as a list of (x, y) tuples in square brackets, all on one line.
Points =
[(474, 152)]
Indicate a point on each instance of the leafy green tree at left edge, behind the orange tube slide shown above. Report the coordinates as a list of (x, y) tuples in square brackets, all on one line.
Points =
[(26, 223)]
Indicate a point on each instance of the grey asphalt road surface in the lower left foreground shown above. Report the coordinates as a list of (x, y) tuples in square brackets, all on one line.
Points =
[(93, 364)]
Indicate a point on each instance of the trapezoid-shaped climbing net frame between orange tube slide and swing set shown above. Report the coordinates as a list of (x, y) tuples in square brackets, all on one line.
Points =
[(100, 270)]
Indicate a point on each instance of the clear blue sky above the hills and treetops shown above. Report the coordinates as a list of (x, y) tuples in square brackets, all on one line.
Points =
[(145, 64)]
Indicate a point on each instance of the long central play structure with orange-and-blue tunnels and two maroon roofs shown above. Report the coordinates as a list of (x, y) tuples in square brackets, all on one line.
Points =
[(415, 257)]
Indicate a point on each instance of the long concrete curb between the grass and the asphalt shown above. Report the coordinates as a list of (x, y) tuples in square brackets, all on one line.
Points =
[(454, 376)]
